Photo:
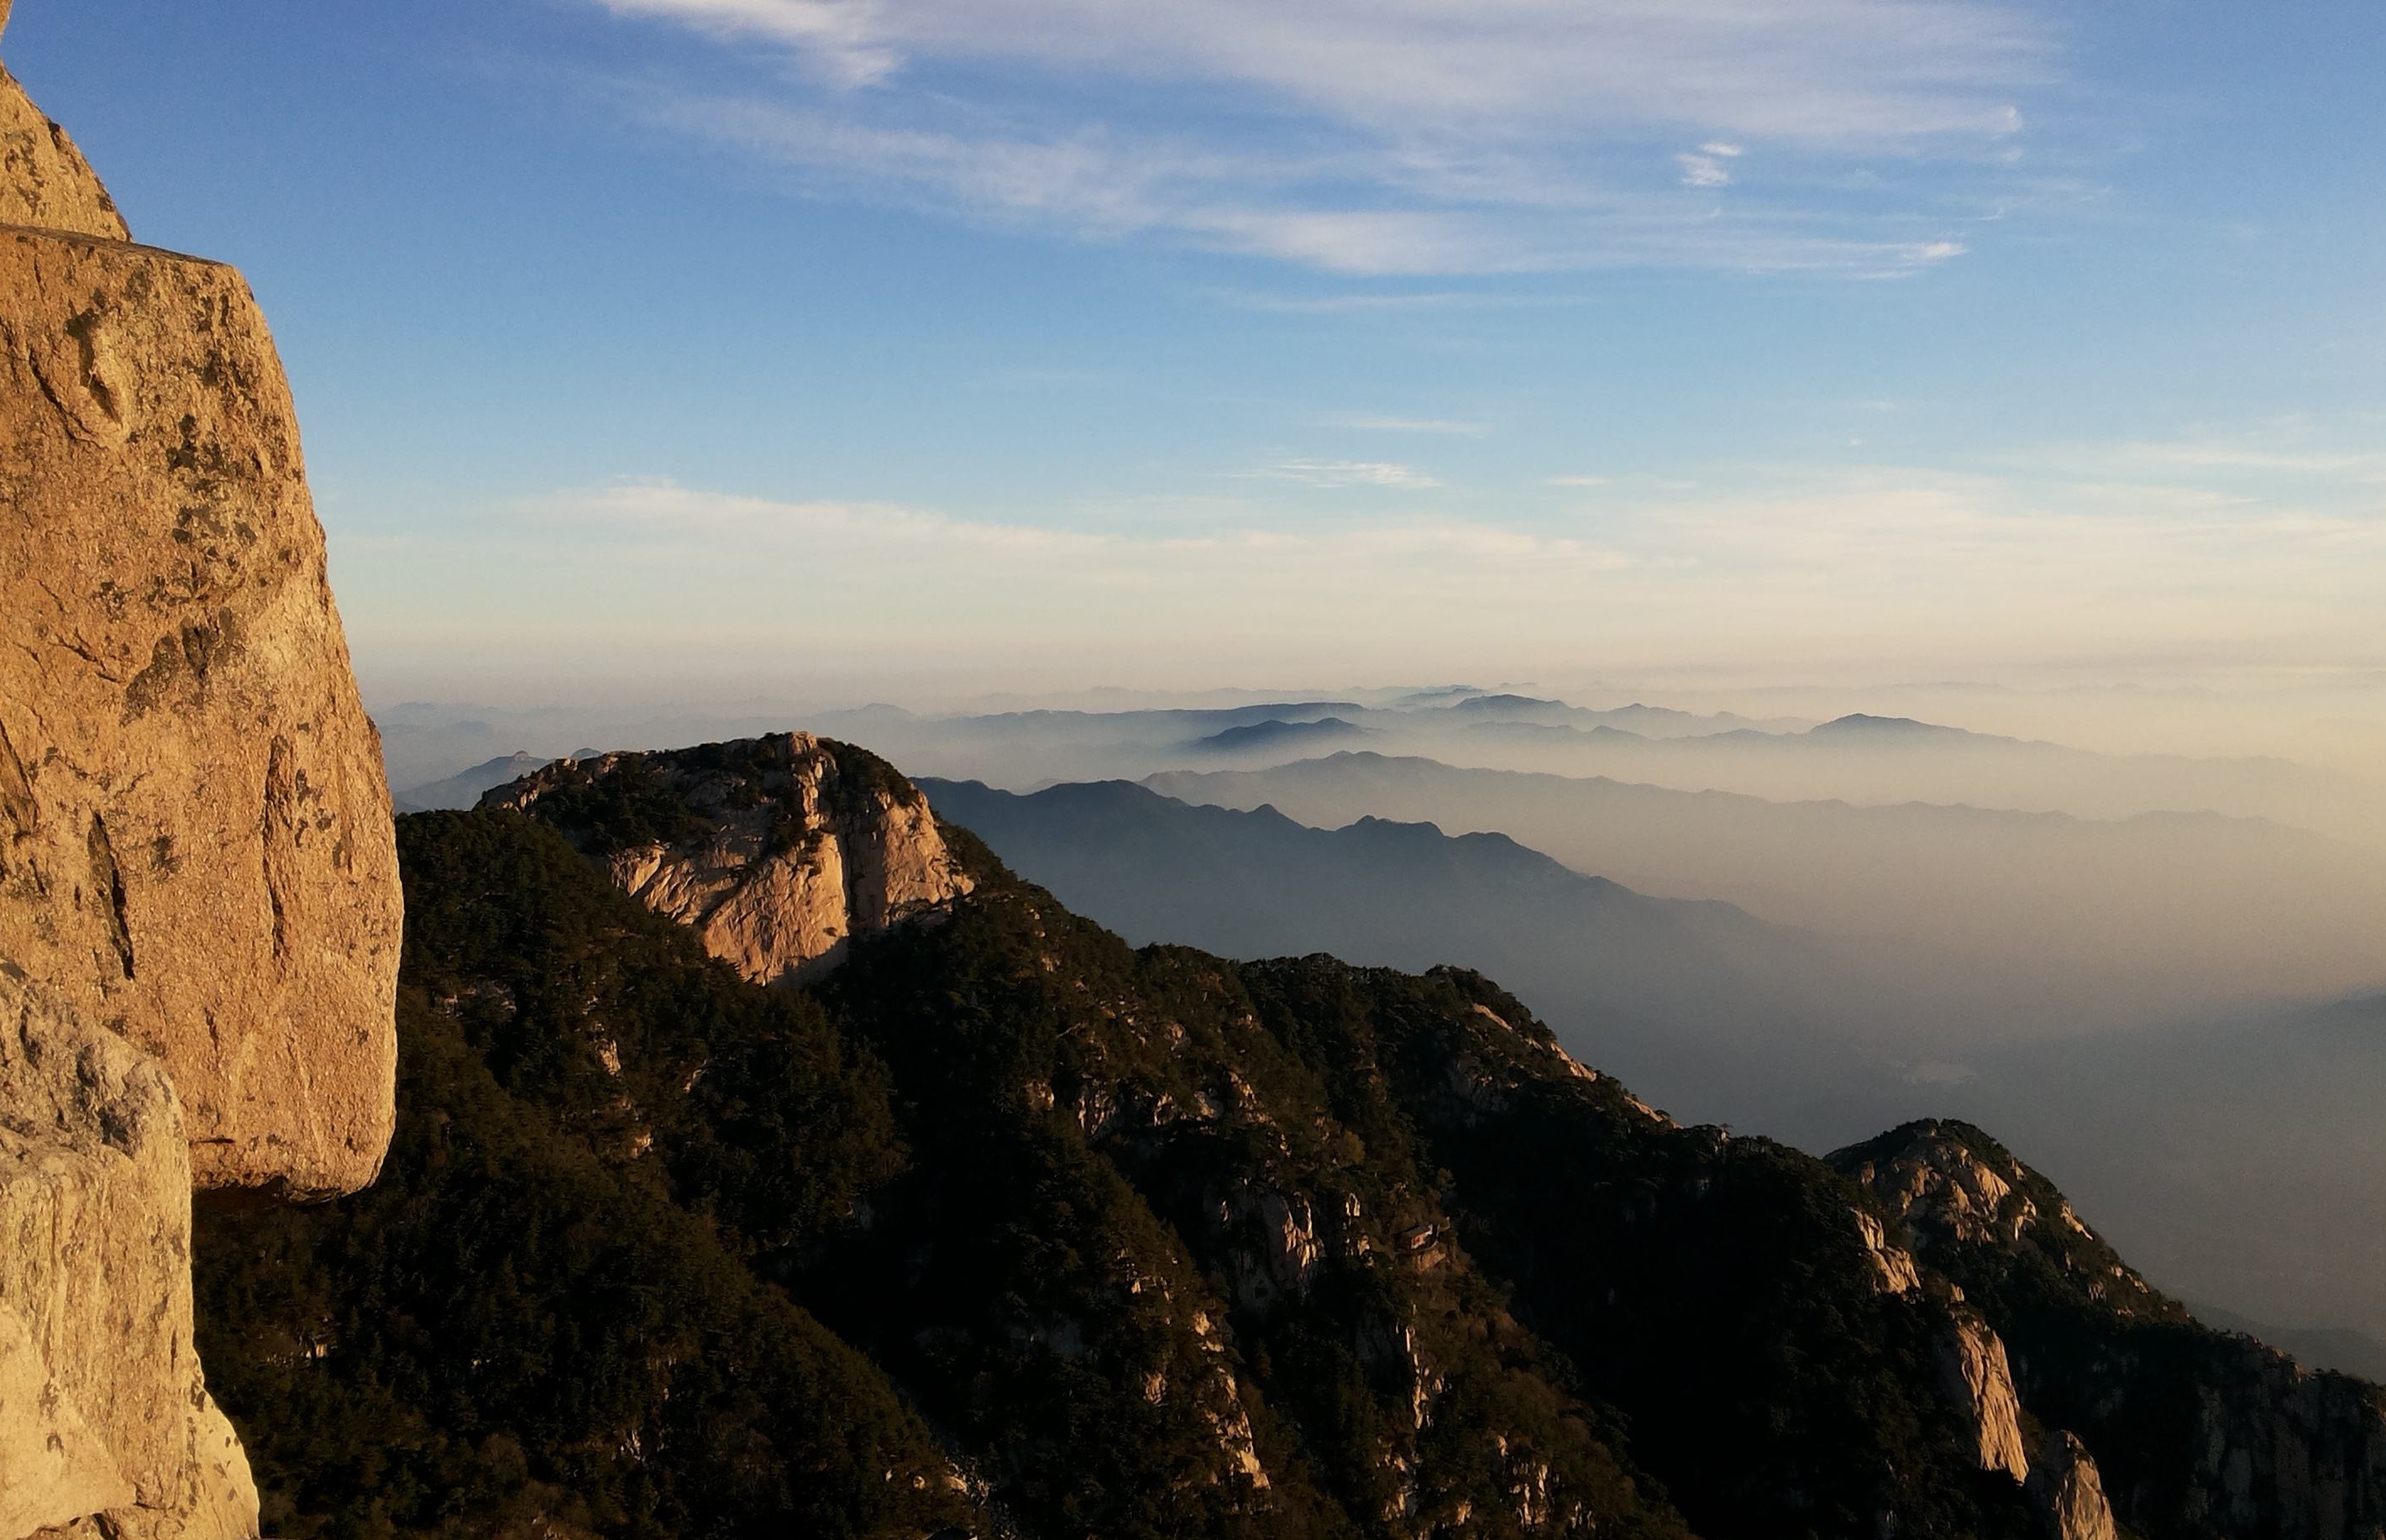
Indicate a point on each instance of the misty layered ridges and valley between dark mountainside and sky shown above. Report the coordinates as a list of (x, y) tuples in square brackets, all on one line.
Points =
[(2149, 967)]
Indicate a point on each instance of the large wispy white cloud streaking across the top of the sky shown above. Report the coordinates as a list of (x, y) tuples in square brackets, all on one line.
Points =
[(1395, 137)]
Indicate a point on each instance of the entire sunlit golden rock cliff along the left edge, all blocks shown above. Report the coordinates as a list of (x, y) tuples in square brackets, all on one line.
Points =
[(199, 909)]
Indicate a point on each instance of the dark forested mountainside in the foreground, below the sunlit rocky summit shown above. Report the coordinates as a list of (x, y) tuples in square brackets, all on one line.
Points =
[(1015, 1229)]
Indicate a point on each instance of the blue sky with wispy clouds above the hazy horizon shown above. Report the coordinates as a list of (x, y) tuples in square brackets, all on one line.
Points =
[(1044, 342)]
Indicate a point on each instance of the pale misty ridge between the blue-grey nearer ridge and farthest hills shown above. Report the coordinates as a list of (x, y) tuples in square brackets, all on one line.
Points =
[(2008, 914)]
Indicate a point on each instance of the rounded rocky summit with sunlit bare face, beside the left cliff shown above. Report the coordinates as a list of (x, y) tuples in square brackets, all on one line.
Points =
[(777, 852)]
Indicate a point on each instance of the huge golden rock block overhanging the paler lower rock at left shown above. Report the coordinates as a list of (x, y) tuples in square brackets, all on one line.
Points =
[(194, 833)]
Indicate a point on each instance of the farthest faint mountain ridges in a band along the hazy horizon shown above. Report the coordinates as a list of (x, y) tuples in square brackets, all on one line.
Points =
[(1865, 757)]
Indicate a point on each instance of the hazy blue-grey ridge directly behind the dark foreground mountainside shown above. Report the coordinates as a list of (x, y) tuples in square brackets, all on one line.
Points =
[(1695, 1002)]
